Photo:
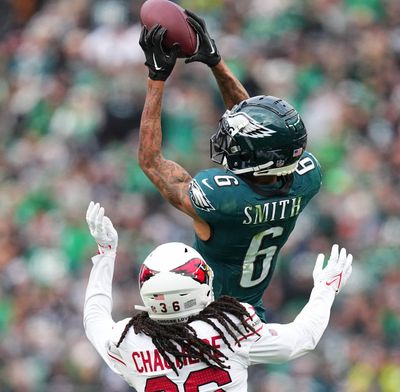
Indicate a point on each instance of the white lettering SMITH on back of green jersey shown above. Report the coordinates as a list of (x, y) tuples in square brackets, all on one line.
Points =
[(271, 211)]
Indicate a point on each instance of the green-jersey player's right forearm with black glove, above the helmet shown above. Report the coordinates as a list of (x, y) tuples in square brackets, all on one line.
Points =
[(230, 87)]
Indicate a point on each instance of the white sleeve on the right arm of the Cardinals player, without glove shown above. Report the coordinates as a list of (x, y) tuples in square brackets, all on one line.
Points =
[(283, 342)]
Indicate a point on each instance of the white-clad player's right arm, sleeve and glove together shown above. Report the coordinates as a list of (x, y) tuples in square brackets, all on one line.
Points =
[(282, 342)]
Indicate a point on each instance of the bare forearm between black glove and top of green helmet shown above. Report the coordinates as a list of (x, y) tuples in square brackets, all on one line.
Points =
[(230, 87)]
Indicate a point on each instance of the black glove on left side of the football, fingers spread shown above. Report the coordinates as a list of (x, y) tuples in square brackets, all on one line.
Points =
[(159, 63)]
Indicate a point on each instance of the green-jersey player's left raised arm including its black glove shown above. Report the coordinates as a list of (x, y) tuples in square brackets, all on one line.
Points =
[(171, 179)]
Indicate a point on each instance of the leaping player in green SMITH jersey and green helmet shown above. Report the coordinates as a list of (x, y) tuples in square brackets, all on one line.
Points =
[(244, 212)]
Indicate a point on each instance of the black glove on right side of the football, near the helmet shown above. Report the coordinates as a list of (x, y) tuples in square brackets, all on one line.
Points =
[(207, 52)]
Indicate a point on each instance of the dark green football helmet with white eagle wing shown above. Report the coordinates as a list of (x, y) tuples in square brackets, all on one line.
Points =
[(263, 134)]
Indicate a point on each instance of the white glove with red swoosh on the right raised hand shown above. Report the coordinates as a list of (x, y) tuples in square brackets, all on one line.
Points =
[(336, 272)]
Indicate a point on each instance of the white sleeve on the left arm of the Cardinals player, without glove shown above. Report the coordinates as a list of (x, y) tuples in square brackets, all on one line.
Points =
[(97, 319)]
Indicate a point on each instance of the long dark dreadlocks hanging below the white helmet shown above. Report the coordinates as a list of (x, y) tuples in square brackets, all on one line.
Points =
[(180, 339)]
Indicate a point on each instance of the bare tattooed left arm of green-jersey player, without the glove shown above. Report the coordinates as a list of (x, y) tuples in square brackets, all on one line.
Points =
[(171, 179)]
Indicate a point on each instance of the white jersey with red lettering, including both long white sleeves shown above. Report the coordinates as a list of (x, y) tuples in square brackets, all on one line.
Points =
[(143, 367)]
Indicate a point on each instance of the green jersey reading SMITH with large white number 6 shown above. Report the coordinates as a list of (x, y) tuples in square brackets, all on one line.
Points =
[(248, 229)]
